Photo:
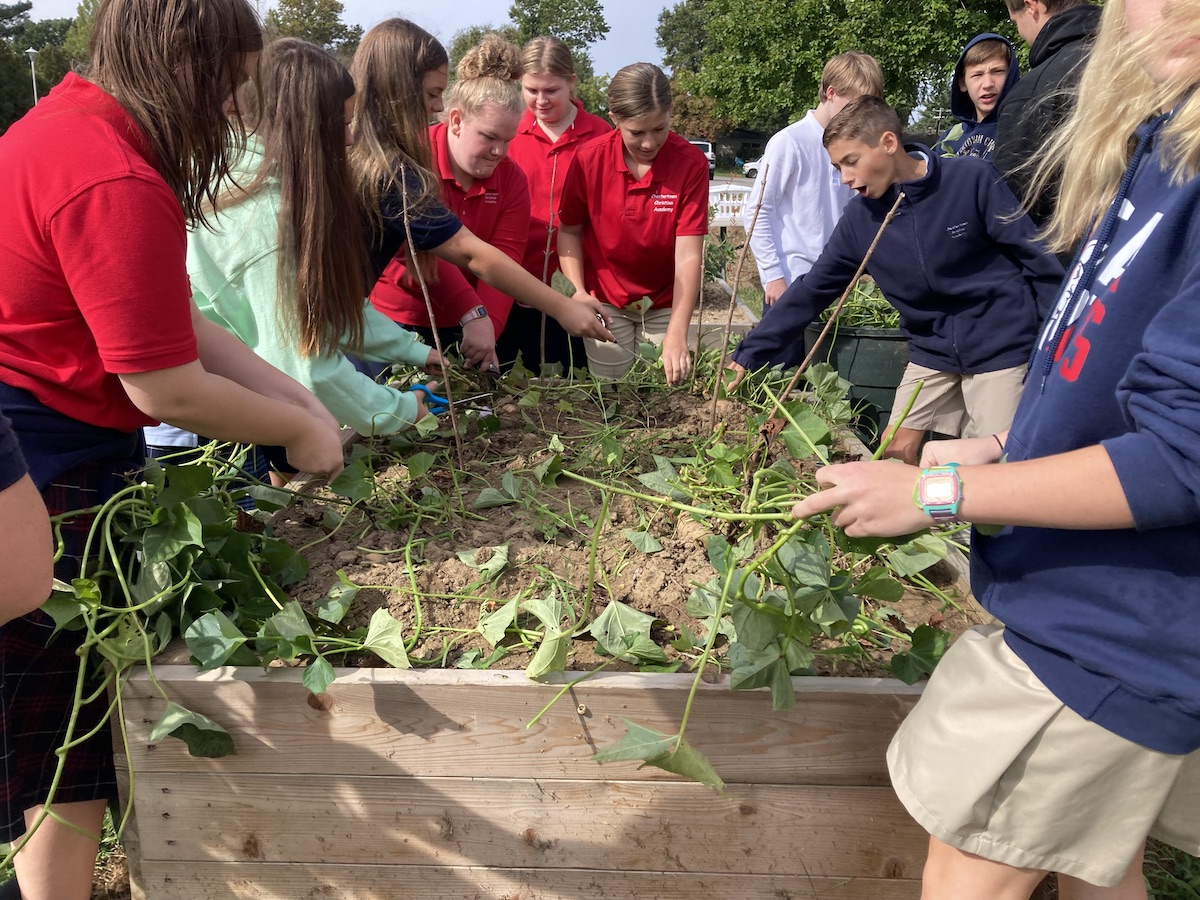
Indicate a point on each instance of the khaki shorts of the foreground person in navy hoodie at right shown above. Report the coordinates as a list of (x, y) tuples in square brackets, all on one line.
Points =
[(991, 763)]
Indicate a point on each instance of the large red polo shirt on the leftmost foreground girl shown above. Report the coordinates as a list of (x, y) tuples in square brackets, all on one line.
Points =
[(93, 249)]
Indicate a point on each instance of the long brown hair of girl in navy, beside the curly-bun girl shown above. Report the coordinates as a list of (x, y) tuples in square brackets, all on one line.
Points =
[(391, 124)]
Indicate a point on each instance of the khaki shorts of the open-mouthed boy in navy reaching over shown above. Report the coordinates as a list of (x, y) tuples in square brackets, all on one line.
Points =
[(959, 405)]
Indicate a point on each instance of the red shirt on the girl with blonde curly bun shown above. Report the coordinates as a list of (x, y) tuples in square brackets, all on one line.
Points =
[(495, 209)]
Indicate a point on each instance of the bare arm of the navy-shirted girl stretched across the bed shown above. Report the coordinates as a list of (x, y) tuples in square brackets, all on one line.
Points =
[(583, 319)]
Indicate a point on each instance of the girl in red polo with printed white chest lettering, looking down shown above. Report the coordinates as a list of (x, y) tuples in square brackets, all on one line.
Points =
[(633, 225)]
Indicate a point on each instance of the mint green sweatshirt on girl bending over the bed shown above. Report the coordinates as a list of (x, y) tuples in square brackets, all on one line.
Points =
[(235, 283)]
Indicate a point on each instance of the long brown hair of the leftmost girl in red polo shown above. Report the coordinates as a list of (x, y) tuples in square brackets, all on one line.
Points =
[(172, 65)]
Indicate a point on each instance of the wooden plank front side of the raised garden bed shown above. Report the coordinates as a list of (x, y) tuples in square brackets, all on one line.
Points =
[(429, 785)]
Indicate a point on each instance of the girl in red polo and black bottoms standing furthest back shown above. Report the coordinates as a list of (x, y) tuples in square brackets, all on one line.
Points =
[(554, 128)]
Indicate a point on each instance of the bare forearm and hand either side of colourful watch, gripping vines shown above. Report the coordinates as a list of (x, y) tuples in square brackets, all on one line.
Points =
[(1078, 490)]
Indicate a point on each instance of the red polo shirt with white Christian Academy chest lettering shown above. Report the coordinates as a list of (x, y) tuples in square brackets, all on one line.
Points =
[(629, 225)]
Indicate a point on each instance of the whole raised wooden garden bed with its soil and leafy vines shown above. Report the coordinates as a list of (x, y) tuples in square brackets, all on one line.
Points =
[(460, 783)]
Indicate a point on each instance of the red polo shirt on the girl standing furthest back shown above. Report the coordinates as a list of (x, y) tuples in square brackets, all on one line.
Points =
[(545, 164)]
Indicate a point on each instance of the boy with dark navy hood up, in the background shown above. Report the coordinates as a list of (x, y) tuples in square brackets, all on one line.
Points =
[(986, 73)]
